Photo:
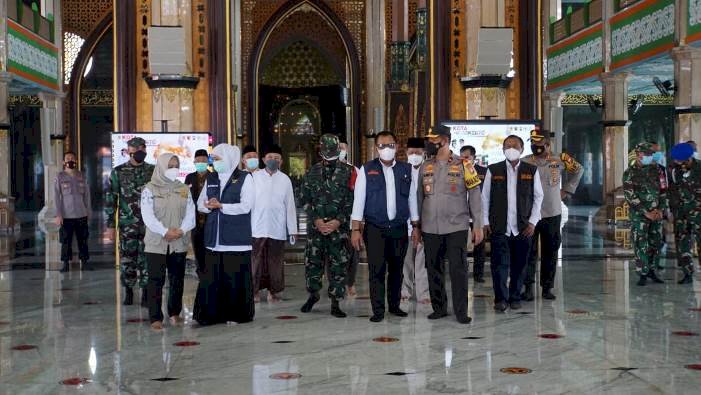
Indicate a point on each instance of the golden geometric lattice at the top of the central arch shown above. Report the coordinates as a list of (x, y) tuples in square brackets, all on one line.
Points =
[(299, 65)]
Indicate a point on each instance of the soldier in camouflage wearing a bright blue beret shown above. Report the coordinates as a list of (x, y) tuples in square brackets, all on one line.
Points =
[(685, 203)]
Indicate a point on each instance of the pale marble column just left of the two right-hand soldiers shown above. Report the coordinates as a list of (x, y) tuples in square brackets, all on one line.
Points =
[(615, 122)]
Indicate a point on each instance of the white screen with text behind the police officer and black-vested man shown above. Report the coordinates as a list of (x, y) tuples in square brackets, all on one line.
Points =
[(488, 137)]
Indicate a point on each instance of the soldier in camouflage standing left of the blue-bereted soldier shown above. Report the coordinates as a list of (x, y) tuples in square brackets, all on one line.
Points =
[(647, 200)]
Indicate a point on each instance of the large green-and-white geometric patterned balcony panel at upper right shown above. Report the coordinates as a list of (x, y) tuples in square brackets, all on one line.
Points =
[(642, 31)]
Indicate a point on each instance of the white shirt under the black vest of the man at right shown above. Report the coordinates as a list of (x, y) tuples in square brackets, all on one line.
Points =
[(511, 183)]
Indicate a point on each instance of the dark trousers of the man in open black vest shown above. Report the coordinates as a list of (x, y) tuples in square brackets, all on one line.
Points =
[(509, 257)]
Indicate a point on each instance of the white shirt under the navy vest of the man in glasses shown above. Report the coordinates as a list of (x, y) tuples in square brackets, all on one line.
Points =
[(360, 192)]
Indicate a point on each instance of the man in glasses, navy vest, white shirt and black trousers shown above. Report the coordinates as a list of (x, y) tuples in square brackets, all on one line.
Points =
[(385, 198)]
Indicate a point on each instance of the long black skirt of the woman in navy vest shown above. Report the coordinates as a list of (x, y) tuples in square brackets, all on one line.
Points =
[(225, 292)]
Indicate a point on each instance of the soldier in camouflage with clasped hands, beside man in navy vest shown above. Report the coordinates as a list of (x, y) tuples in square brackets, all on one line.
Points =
[(327, 194)]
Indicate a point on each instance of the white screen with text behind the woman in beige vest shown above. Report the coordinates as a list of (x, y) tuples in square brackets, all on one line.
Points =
[(184, 145)]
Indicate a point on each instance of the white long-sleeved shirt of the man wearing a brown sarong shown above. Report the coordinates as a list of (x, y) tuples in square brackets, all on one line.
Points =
[(275, 214)]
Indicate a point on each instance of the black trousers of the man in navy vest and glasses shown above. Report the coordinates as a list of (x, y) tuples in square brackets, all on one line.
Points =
[(386, 248)]
